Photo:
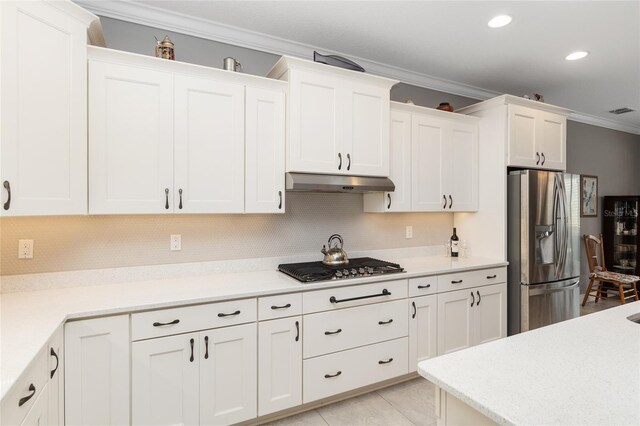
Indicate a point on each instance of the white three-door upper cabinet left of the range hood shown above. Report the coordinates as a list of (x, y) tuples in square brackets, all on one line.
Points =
[(169, 137)]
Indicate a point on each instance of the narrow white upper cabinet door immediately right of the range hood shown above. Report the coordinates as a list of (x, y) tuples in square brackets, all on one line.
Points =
[(399, 163)]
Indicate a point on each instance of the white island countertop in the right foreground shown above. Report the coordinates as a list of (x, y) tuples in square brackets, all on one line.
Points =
[(582, 371)]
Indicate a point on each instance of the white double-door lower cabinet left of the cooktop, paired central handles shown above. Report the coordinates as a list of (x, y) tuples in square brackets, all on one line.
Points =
[(208, 377)]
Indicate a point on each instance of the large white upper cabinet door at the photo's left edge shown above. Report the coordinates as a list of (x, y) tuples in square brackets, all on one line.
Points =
[(43, 111)]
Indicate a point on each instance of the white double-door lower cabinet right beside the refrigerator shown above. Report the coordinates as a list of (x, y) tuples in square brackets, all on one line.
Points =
[(471, 316)]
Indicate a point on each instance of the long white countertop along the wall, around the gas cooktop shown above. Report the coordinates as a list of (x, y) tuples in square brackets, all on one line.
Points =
[(28, 319)]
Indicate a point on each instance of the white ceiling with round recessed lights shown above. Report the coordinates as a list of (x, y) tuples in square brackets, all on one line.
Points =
[(450, 40)]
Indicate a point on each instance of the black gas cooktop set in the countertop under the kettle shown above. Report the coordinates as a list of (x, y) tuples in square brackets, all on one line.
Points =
[(308, 272)]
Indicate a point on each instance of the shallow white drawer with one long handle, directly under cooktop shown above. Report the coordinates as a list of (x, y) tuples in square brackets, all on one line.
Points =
[(345, 297)]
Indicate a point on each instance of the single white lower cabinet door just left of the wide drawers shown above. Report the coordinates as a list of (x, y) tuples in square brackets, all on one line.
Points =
[(279, 364)]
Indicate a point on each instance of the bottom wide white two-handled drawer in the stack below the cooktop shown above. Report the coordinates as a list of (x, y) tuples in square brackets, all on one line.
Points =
[(343, 371)]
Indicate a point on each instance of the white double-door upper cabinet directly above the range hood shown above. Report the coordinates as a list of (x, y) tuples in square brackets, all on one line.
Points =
[(338, 120)]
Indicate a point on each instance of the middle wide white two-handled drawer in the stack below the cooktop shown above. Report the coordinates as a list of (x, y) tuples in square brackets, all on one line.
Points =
[(335, 331)]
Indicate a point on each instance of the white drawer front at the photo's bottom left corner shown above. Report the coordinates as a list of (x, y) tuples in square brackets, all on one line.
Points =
[(12, 412)]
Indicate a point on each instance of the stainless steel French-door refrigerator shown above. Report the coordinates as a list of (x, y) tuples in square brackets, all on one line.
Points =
[(543, 246)]
